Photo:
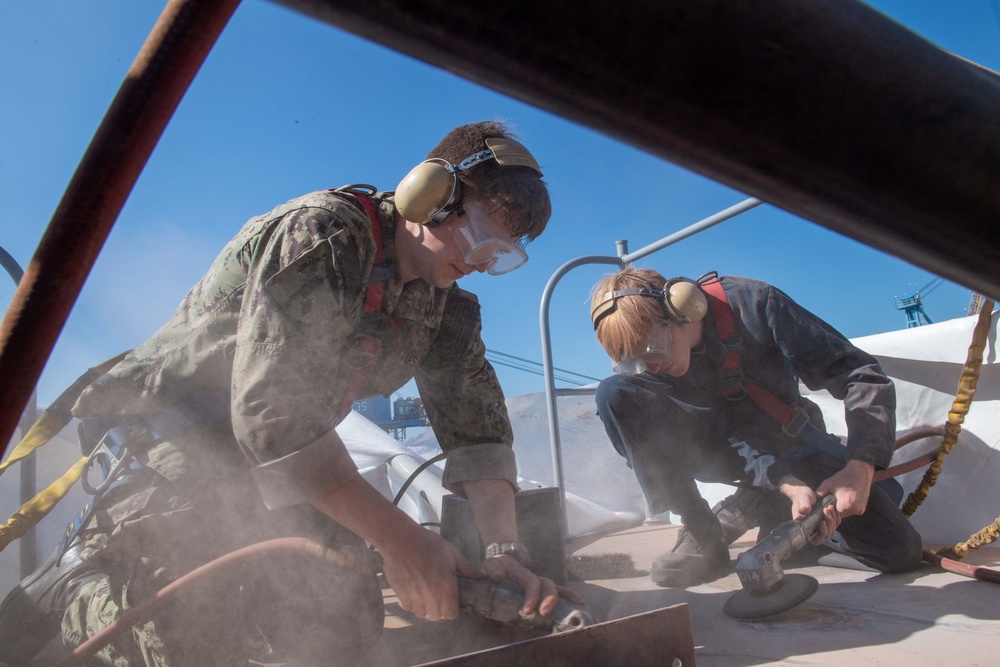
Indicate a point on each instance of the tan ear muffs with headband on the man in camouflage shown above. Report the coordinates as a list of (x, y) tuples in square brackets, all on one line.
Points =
[(432, 190)]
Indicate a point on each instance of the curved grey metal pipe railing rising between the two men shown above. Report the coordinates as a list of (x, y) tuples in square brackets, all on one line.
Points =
[(623, 258)]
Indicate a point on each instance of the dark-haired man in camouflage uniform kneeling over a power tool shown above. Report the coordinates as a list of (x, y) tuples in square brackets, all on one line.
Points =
[(303, 312)]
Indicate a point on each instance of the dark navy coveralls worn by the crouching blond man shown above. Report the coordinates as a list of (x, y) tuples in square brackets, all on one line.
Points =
[(676, 430)]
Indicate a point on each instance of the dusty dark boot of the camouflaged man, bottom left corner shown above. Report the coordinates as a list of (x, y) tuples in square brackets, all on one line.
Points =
[(31, 614)]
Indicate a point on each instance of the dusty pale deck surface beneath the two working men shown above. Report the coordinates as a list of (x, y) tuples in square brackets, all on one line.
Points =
[(927, 617)]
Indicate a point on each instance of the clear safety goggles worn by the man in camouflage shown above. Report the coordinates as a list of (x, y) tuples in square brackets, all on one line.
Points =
[(484, 241)]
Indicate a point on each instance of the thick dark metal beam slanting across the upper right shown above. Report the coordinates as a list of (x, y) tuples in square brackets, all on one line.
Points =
[(824, 108)]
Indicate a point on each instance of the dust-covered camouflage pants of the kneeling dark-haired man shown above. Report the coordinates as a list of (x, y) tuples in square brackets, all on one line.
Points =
[(200, 504)]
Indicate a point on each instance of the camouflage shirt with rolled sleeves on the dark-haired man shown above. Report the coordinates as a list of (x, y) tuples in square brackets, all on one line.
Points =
[(279, 323)]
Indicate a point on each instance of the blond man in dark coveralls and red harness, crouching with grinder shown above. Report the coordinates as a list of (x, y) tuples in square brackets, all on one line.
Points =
[(707, 390)]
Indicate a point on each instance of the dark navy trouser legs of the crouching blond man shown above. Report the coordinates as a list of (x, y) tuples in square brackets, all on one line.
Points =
[(671, 443)]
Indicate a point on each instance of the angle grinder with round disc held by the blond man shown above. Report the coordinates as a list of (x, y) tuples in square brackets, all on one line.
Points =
[(767, 590)]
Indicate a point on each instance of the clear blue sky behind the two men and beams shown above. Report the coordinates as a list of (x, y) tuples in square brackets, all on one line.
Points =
[(285, 105)]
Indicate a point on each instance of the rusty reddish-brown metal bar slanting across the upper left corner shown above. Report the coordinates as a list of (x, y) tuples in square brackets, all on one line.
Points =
[(156, 82)]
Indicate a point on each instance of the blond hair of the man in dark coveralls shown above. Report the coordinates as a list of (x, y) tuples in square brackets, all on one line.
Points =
[(622, 332)]
